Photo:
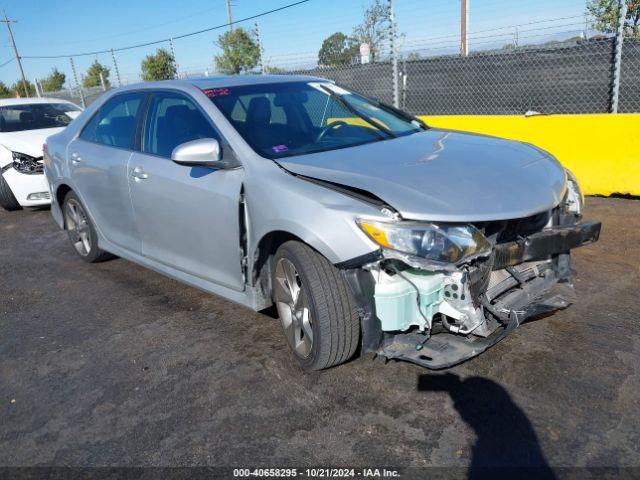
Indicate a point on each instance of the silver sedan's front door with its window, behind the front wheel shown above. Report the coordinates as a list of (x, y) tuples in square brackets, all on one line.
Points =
[(188, 217)]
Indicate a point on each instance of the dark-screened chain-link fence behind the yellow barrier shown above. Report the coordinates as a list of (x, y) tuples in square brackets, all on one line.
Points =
[(565, 77)]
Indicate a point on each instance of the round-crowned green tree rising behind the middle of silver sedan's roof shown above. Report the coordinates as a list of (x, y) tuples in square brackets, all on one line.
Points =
[(240, 52)]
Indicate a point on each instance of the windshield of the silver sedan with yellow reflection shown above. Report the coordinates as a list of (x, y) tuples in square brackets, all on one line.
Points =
[(285, 119)]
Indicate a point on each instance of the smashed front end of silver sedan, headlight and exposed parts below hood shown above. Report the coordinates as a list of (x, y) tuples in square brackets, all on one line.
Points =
[(469, 286)]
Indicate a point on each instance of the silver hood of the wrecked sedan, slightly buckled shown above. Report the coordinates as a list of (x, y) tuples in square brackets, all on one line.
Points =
[(442, 175)]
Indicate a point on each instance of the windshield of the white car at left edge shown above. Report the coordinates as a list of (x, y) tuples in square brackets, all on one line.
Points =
[(15, 118)]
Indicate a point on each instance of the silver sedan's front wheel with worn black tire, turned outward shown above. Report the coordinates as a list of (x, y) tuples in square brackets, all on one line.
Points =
[(333, 319)]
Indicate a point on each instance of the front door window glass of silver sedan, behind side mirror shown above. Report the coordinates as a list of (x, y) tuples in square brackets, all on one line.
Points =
[(172, 120)]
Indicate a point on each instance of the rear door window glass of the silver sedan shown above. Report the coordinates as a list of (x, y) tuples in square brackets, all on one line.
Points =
[(115, 122)]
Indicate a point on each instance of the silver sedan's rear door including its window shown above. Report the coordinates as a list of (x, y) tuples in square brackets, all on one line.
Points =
[(98, 160)]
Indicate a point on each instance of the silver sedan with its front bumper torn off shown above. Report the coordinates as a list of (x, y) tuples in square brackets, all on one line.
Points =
[(368, 230)]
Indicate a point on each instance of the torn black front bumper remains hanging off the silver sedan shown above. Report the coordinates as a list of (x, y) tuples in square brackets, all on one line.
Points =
[(546, 290)]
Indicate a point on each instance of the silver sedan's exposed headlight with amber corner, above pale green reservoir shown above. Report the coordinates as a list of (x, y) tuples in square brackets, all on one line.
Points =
[(437, 242)]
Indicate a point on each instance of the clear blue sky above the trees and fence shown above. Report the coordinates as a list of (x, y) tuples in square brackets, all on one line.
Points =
[(290, 37)]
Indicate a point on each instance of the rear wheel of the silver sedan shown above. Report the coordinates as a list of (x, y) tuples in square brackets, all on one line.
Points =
[(81, 231)]
